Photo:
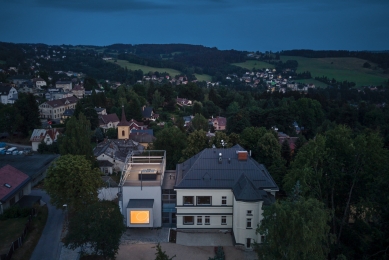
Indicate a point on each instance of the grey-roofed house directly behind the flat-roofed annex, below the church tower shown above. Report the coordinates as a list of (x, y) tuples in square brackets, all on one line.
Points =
[(116, 151)]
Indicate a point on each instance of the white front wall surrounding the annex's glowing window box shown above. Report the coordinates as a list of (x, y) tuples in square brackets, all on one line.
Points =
[(147, 192)]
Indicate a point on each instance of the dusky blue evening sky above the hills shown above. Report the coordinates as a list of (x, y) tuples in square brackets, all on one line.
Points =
[(249, 25)]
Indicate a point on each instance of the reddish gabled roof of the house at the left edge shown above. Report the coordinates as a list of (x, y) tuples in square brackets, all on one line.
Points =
[(11, 179)]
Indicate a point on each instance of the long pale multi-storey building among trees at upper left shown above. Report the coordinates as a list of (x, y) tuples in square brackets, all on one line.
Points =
[(55, 108)]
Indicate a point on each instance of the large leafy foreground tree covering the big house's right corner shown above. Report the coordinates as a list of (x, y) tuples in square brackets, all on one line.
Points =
[(294, 229)]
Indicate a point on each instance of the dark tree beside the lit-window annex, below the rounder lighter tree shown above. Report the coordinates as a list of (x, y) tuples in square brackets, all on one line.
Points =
[(98, 225)]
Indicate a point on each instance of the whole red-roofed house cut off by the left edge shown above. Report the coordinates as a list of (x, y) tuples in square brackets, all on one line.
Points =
[(14, 184)]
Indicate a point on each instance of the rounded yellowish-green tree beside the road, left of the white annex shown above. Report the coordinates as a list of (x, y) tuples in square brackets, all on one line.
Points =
[(71, 180)]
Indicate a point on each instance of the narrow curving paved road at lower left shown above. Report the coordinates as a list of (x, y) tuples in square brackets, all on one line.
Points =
[(48, 247)]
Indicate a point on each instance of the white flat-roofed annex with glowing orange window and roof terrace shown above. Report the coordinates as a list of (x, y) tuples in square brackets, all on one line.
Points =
[(140, 198)]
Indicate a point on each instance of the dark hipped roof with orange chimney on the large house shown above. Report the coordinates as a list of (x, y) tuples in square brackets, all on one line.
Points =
[(204, 170)]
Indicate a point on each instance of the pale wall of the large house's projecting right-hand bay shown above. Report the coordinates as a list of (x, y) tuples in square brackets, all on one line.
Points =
[(241, 232)]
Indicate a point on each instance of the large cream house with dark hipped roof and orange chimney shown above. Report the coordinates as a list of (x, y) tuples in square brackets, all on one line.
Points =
[(223, 189)]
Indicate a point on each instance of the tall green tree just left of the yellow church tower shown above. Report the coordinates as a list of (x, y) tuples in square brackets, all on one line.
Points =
[(76, 139)]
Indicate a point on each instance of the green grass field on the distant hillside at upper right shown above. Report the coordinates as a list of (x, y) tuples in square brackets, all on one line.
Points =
[(350, 69)]
